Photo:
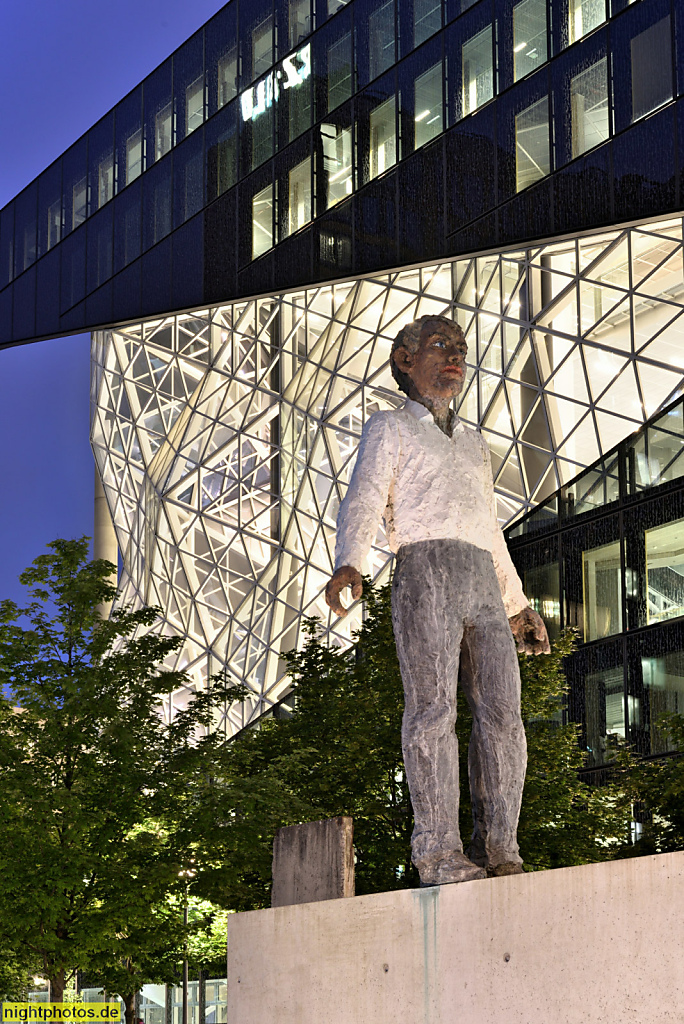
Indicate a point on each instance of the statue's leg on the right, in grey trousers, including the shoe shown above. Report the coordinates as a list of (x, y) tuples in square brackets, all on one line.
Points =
[(498, 753)]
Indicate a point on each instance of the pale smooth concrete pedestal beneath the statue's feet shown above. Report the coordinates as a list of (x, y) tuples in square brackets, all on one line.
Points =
[(602, 944)]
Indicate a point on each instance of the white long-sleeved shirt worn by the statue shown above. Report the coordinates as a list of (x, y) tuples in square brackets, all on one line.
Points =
[(427, 487)]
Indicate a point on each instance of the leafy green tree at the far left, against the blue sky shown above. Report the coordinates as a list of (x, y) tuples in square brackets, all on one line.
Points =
[(94, 783)]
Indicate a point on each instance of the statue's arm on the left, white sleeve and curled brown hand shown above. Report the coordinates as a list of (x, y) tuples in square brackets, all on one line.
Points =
[(363, 508)]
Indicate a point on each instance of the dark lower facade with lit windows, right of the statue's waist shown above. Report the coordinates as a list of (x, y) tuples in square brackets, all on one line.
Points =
[(611, 544)]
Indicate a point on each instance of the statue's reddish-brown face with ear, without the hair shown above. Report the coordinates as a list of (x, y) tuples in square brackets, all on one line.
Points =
[(438, 368)]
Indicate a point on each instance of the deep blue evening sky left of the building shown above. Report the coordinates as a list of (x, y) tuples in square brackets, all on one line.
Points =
[(64, 64)]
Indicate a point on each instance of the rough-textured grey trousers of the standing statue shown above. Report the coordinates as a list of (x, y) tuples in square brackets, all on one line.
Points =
[(448, 613)]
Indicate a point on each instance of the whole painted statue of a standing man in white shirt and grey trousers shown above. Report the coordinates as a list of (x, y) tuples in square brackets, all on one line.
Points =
[(457, 605)]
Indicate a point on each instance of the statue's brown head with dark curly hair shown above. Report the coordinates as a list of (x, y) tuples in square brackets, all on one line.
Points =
[(429, 360)]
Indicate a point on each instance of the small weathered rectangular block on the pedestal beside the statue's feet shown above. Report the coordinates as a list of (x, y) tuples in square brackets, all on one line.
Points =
[(314, 863)]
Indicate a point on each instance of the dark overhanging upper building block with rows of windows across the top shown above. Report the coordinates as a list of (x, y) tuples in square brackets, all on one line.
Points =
[(358, 89)]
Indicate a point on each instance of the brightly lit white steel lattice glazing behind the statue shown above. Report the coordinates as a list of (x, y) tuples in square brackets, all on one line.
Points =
[(225, 438)]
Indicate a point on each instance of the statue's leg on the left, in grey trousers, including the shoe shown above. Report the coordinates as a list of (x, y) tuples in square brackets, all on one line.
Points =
[(429, 634)]
